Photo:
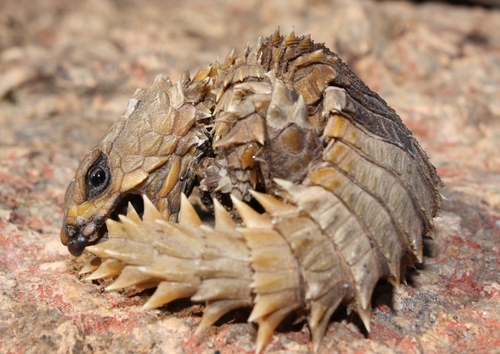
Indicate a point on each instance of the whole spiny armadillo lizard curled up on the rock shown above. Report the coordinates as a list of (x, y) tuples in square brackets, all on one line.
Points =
[(345, 191)]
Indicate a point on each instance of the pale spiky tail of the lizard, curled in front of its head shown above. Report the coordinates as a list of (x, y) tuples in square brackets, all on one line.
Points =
[(228, 267)]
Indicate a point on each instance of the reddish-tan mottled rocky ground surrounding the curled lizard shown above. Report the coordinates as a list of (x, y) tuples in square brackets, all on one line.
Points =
[(67, 70)]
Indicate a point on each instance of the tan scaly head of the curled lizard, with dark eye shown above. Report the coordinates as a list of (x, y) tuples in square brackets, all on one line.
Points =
[(148, 151)]
